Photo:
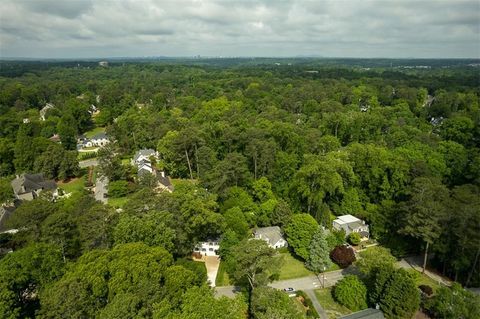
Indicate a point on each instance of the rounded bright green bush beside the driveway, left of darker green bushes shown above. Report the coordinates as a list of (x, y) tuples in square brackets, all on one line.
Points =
[(351, 293)]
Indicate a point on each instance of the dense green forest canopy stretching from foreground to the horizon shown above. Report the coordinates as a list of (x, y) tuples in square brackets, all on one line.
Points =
[(254, 145)]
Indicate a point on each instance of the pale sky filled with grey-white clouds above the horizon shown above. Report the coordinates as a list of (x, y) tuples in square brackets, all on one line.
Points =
[(103, 28)]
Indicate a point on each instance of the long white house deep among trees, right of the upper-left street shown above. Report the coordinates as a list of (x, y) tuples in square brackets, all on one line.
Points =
[(143, 161)]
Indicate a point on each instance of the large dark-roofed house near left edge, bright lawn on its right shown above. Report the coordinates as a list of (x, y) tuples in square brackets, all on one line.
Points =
[(29, 186)]
